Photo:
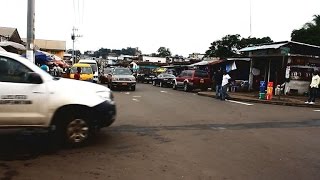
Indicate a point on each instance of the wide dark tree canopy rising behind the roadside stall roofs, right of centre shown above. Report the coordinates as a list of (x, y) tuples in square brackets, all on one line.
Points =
[(229, 45)]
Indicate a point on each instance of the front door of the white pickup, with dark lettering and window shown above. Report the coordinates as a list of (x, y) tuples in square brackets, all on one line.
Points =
[(21, 102)]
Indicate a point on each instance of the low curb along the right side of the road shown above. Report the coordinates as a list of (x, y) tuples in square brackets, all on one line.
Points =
[(264, 101)]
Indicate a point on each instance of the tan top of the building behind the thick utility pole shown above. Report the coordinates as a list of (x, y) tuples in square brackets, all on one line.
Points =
[(49, 44)]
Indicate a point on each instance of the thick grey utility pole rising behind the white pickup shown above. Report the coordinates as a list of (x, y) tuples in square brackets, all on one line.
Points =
[(30, 30)]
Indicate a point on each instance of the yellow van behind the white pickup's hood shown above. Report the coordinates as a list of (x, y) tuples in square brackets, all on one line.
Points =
[(86, 72)]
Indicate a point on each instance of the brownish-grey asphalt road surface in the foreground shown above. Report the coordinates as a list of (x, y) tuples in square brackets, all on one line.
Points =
[(165, 134)]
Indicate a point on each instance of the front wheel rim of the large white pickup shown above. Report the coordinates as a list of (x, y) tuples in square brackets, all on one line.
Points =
[(77, 131)]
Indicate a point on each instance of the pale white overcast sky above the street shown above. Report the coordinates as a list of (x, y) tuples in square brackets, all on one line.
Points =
[(184, 26)]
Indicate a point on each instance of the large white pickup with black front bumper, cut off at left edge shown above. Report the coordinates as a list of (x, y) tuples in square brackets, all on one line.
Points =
[(70, 110)]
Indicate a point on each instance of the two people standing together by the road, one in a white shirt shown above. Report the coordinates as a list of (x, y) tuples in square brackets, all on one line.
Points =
[(222, 80)]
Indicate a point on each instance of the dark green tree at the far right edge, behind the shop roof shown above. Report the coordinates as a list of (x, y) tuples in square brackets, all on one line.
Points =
[(309, 33)]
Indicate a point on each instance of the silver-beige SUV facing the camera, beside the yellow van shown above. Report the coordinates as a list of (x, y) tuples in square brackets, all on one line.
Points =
[(122, 77)]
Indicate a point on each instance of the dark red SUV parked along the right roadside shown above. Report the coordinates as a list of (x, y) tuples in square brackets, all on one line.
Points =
[(192, 79)]
